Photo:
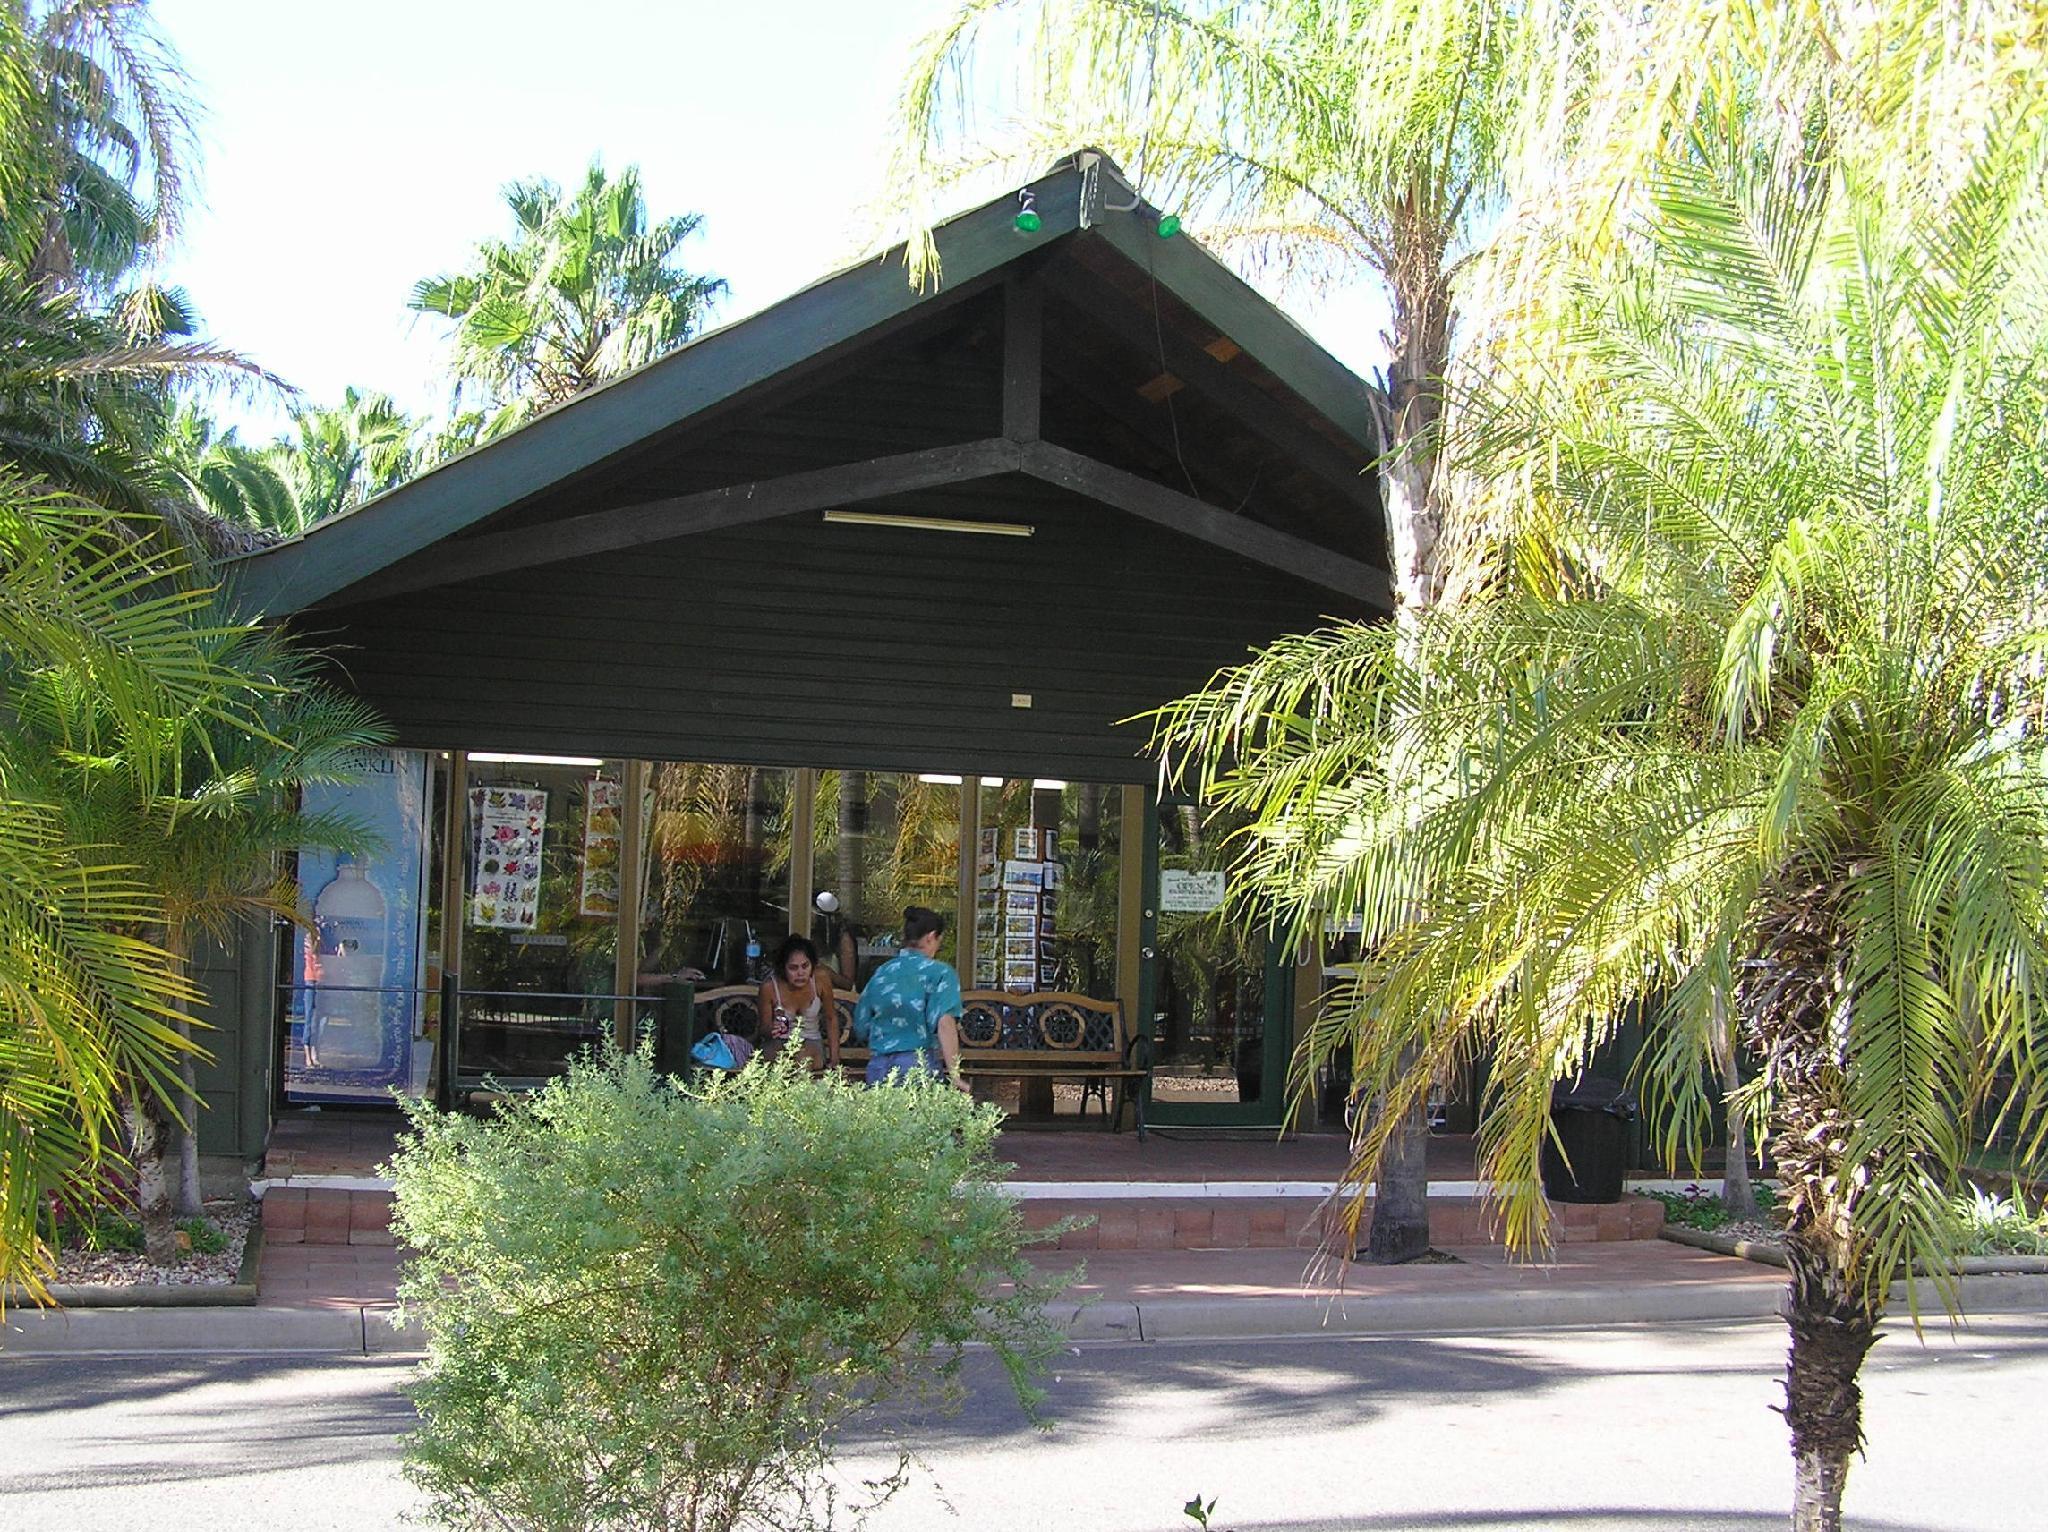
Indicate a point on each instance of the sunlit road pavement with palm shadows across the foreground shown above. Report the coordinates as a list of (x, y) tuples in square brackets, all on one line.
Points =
[(1594, 1429)]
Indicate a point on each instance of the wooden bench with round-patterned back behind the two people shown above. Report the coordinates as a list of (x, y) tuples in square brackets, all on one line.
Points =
[(1005, 1035)]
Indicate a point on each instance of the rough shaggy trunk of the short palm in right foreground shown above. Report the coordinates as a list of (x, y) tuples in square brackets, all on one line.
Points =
[(1797, 1021)]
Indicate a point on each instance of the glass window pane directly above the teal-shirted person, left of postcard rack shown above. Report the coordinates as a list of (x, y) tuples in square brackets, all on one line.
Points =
[(884, 841)]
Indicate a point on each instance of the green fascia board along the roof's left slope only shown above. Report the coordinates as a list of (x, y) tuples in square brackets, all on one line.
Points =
[(613, 417)]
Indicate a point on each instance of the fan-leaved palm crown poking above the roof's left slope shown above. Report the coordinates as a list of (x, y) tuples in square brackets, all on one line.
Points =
[(587, 290)]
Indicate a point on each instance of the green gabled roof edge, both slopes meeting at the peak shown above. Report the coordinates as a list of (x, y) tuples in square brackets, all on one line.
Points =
[(736, 357)]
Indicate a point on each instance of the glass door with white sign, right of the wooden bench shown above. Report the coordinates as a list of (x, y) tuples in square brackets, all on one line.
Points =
[(1220, 998)]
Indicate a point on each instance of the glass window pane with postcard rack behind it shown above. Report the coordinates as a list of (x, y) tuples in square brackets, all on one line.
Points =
[(1052, 851)]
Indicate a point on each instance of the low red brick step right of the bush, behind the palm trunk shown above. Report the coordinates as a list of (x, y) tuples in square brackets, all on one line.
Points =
[(1297, 1222)]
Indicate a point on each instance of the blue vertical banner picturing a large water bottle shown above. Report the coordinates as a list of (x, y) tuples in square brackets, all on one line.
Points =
[(357, 994)]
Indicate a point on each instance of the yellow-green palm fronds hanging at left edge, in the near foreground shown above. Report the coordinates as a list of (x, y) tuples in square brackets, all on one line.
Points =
[(89, 1011)]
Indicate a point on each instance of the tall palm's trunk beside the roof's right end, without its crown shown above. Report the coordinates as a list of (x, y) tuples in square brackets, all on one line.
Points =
[(1414, 407)]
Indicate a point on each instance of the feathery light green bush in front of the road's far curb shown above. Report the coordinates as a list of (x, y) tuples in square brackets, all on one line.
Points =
[(652, 1304)]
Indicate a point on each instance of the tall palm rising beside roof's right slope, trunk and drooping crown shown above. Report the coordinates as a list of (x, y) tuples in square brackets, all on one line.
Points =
[(1342, 140)]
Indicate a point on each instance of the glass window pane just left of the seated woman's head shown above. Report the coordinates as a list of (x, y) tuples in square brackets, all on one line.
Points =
[(718, 851)]
